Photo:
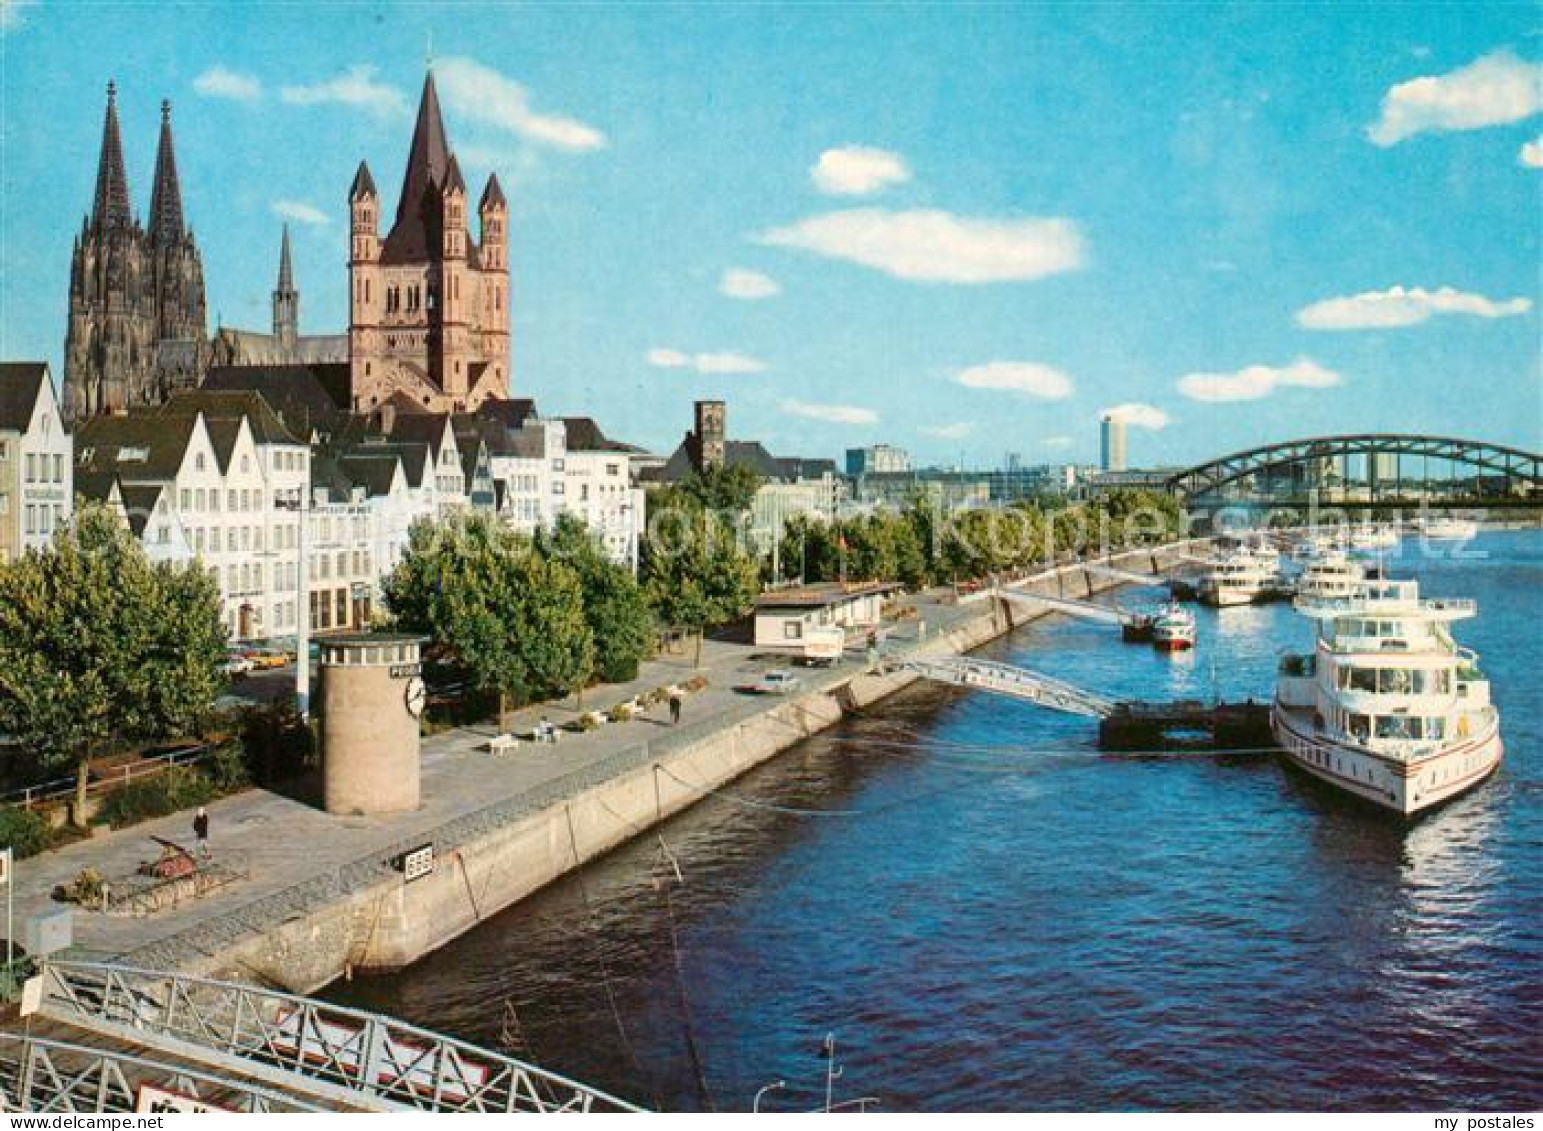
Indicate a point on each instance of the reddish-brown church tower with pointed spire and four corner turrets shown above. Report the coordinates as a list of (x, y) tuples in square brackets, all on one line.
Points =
[(430, 312)]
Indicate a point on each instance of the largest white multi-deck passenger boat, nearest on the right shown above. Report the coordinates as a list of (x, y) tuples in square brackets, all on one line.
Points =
[(1388, 707)]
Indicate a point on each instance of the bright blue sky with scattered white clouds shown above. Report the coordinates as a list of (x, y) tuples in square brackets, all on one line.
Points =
[(984, 226)]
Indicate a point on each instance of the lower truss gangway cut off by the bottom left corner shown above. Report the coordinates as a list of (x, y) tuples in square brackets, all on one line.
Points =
[(46, 1076)]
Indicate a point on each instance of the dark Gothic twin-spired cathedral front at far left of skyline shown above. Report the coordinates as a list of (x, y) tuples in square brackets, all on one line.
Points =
[(137, 295)]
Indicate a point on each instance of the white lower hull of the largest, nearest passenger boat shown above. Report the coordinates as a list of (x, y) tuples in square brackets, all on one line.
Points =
[(1402, 788)]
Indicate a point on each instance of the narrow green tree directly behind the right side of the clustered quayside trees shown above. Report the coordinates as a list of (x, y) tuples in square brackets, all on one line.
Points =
[(620, 618)]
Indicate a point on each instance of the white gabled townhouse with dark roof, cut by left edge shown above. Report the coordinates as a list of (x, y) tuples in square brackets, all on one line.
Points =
[(36, 459)]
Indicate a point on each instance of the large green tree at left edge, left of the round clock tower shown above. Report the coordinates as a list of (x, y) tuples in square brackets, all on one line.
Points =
[(100, 646)]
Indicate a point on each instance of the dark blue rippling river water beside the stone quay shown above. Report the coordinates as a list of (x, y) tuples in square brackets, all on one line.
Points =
[(993, 916)]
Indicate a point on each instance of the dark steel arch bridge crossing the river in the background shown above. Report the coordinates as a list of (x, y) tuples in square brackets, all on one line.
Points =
[(1300, 467)]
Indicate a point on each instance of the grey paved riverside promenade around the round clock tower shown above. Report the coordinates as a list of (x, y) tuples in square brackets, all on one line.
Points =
[(299, 857)]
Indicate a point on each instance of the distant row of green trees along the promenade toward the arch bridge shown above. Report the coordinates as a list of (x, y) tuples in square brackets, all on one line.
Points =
[(919, 545)]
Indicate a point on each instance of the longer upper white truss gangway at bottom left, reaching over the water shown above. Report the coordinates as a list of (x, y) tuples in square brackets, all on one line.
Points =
[(348, 1056)]
